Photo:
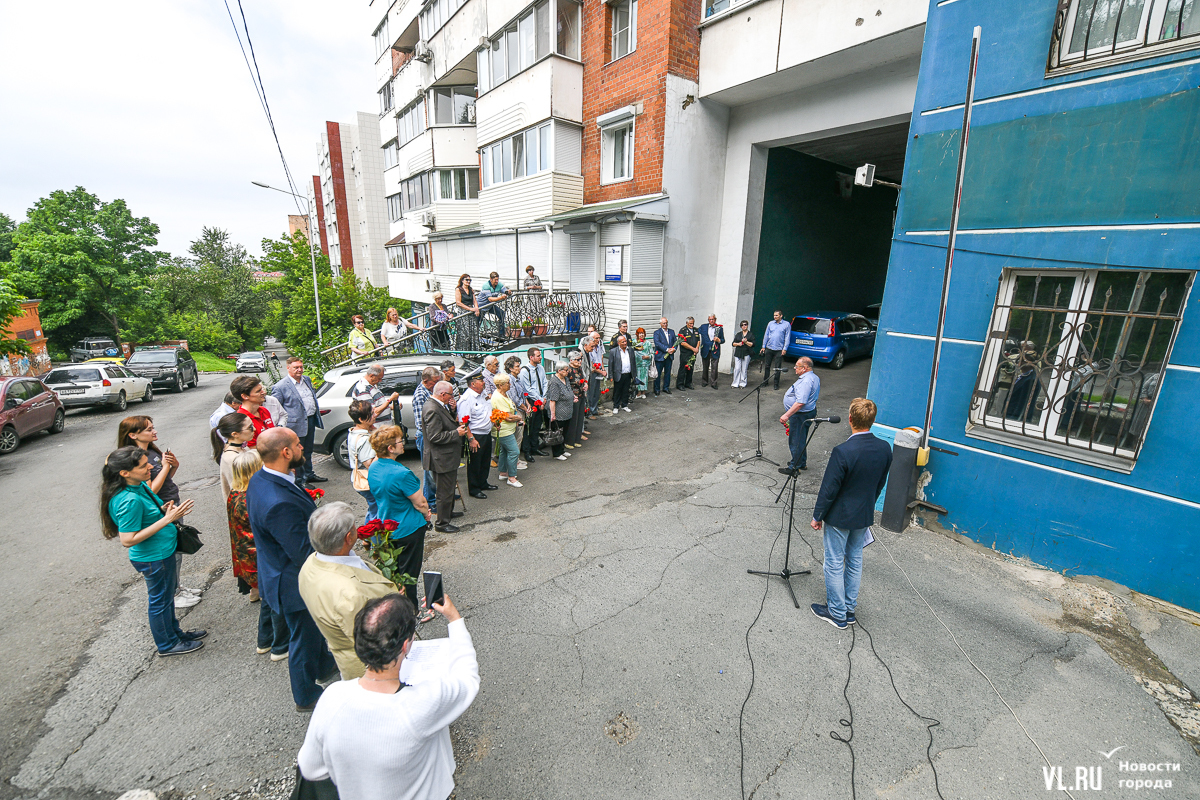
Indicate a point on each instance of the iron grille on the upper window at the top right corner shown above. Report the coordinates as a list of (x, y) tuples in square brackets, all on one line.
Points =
[(1089, 31)]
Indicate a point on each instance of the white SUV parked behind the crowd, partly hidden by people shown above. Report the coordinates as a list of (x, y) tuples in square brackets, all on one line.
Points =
[(400, 375)]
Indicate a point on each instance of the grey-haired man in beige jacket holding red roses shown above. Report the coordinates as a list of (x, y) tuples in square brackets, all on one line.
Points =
[(337, 584)]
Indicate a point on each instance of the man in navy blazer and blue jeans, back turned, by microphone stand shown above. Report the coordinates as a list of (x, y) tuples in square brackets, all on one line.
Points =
[(854, 480)]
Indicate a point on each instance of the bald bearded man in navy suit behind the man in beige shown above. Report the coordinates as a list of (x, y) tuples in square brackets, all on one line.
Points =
[(279, 514)]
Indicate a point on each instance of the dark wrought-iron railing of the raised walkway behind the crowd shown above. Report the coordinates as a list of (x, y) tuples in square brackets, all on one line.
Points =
[(499, 326)]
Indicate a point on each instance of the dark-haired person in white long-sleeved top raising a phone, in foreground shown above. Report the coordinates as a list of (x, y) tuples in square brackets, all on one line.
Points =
[(380, 739)]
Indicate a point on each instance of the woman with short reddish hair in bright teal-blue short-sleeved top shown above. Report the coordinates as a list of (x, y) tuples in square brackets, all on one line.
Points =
[(398, 495)]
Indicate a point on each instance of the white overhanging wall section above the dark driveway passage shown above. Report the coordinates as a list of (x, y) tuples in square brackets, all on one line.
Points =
[(799, 44)]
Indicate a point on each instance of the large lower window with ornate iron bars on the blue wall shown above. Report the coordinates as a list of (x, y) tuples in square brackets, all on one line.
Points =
[(1076, 358)]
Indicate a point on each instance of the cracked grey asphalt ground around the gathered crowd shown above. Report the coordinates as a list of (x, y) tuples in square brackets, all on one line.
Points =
[(609, 601)]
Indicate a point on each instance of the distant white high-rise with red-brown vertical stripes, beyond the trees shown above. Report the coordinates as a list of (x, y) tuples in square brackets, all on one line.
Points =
[(347, 199)]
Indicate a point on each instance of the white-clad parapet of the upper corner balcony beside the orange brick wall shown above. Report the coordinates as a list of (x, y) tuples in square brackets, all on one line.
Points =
[(551, 88)]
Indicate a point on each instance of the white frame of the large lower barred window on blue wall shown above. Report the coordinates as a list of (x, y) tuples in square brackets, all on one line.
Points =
[(1067, 359)]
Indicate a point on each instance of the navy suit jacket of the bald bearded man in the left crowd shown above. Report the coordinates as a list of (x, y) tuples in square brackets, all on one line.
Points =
[(279, 515)]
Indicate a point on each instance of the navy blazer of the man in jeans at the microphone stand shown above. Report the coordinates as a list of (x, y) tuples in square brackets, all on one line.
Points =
[(854, 480)]
